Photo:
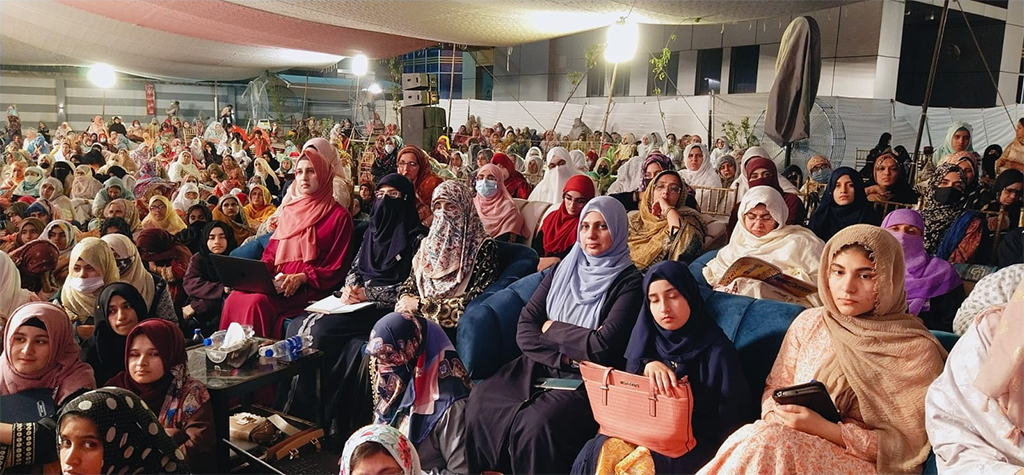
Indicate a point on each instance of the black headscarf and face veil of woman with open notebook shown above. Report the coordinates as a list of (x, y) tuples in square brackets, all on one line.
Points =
[(387, 255)]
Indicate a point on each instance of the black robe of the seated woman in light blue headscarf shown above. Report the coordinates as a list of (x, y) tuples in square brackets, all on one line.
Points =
[(514, 427)]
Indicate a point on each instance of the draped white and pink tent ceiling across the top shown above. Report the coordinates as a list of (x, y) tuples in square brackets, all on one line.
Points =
[(237, 39)]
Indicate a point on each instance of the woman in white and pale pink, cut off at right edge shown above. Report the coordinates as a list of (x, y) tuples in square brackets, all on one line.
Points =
[(984, 371)]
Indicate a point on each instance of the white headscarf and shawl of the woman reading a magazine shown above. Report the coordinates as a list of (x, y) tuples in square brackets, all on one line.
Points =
[(792, 248)]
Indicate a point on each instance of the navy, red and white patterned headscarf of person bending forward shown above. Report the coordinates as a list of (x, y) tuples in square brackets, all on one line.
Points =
[(426, 375)]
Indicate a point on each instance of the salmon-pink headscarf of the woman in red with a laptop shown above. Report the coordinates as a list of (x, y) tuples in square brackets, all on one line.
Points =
[(300, 213)]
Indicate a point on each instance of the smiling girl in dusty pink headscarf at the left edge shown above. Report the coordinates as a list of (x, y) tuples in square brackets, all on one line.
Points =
[(39, 354)]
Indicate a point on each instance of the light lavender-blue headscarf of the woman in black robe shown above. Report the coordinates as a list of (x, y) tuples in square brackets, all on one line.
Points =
[(581, 282)]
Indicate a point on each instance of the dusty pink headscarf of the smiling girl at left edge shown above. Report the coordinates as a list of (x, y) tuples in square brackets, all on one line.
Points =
[(65, 372)]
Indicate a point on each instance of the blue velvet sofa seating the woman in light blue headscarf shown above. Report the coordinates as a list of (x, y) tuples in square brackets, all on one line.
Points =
[(757, 327)]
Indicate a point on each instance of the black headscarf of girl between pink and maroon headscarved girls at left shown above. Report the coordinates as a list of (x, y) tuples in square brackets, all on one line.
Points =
[(108, 348)]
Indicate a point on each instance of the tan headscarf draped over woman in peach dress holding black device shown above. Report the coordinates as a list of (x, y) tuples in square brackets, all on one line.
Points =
[(885, 361)]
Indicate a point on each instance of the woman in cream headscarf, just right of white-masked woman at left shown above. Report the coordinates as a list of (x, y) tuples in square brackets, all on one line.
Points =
[(133, 271)]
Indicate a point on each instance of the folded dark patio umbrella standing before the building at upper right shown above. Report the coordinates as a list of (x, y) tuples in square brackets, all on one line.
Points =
[(798, 72)]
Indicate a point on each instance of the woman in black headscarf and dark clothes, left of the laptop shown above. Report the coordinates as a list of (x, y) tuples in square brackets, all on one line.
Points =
[(201, 283)]
